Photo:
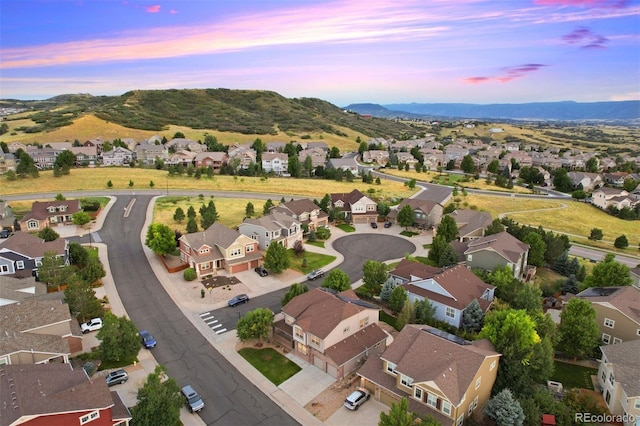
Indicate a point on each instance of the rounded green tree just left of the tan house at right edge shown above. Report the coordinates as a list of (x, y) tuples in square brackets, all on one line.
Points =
[(579, 331)]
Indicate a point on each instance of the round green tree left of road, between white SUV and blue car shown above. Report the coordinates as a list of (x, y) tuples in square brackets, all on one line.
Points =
[(119, 338)]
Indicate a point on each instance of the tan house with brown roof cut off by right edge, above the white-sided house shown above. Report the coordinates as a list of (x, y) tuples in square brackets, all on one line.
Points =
[(617, 312)]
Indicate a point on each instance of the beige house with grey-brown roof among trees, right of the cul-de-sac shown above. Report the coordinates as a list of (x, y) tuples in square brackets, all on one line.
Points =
[(496, 251)]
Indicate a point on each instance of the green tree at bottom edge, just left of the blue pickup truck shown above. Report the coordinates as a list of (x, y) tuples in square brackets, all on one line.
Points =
[(159, 400)]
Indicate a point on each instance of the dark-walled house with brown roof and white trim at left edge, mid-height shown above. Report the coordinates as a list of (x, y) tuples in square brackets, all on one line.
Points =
[(22, 254)]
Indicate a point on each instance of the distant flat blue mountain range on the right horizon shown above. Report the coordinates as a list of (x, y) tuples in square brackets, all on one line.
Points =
[(563, 111)]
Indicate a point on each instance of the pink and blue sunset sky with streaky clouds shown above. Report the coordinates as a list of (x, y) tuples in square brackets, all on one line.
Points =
[(379, 51)]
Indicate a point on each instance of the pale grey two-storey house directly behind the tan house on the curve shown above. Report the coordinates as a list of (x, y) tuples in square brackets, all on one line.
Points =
[(274, 227)]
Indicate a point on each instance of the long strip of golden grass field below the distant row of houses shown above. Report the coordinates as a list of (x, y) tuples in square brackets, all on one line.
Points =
[(96, 179)]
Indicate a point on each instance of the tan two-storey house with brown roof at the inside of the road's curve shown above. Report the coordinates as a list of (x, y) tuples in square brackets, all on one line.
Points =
[(219, 247)]
